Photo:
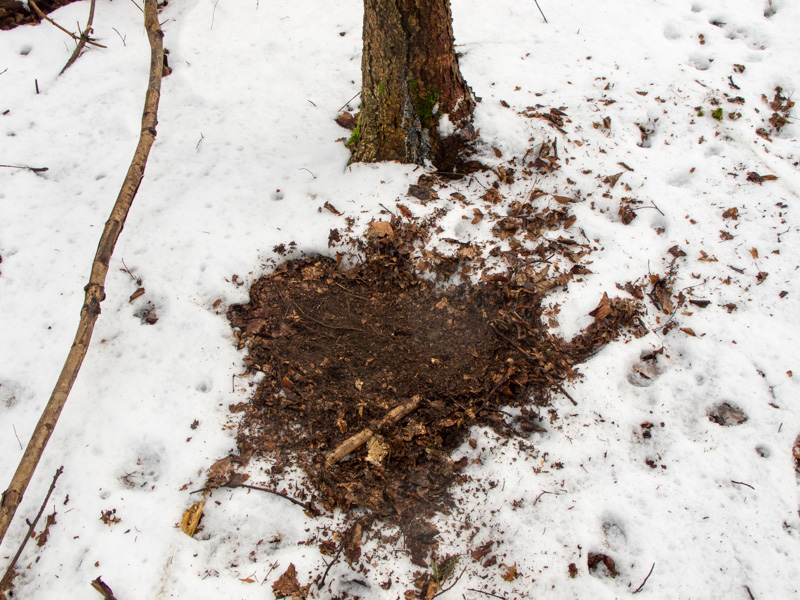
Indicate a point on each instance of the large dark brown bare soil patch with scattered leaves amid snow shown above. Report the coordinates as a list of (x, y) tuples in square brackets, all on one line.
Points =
[(340, 348)]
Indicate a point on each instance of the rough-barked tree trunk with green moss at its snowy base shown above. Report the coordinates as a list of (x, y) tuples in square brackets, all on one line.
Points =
[(416, 106)]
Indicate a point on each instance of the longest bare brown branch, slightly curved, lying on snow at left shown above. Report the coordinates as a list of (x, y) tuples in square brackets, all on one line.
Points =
[(95, 292)]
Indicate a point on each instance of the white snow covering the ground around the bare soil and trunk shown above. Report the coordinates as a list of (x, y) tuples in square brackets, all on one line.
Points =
[(246, 155)]
